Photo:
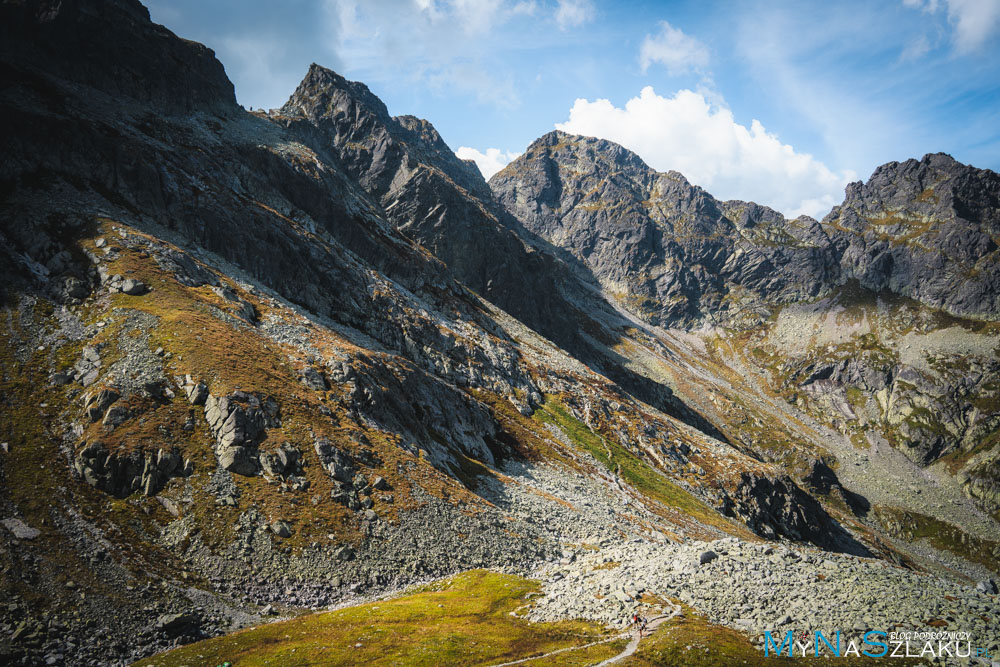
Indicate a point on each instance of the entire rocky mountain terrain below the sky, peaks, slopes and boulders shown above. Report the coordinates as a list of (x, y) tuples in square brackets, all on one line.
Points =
[(260, 364)]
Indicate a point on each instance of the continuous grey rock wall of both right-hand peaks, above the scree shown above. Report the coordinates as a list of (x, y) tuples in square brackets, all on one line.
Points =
[(923, 229)]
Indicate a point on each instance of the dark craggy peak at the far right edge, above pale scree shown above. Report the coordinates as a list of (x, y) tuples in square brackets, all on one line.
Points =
[(927, 230)]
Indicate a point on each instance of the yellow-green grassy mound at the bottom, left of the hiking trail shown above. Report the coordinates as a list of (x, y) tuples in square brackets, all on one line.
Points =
[(464, 620)]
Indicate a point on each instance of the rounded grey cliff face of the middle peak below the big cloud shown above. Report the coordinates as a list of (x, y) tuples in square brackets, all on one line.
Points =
[(668, 250)]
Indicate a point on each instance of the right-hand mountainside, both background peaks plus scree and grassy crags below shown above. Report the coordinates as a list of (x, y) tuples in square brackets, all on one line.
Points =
[(896, 287)]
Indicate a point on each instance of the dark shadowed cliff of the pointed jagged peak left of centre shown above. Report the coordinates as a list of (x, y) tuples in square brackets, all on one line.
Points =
[(436, 199)]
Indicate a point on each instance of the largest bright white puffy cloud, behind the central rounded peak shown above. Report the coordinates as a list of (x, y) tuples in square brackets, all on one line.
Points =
[(702, 141)]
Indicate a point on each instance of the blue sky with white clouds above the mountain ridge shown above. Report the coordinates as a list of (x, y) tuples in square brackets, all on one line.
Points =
[(781, 102)]
